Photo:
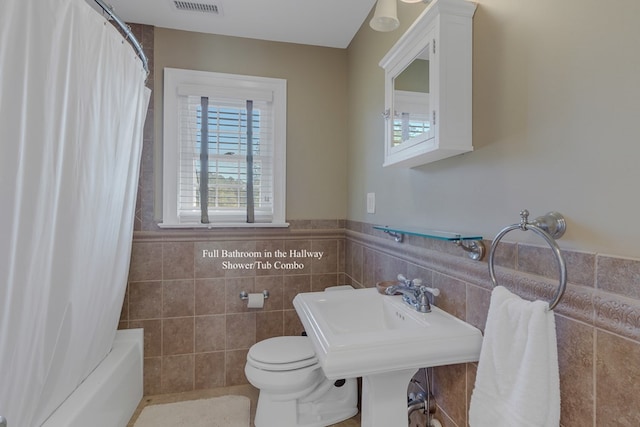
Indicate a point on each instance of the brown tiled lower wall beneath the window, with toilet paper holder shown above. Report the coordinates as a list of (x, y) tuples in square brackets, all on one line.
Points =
[(184, 290)]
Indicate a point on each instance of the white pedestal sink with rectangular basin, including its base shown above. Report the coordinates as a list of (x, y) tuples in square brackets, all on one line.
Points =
[(361, 333)]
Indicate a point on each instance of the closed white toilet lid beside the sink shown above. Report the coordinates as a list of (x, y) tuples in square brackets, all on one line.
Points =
[(283, 353)]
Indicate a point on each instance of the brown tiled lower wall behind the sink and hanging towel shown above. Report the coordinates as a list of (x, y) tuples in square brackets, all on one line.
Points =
[(597, 321)]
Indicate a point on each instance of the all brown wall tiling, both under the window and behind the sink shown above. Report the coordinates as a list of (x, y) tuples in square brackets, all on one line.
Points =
[(198, 331)]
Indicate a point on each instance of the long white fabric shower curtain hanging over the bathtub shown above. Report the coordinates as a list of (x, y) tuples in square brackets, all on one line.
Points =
[(72, 108)]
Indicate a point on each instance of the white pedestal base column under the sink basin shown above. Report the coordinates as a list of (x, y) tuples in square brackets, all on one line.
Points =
[(384, 398)]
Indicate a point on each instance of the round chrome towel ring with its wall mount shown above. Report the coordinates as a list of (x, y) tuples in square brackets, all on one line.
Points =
[(550, 227)]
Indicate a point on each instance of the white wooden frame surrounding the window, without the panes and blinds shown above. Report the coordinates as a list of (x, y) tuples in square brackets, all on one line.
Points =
[(238, 87)]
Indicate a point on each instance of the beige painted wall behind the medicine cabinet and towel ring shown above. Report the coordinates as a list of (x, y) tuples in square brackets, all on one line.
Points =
[(556, 103)]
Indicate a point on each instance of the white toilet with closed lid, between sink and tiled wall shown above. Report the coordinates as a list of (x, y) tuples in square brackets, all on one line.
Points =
[(294, 391)]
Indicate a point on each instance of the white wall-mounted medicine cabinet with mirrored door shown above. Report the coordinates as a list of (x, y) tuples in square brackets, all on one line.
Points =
[(428, 87)]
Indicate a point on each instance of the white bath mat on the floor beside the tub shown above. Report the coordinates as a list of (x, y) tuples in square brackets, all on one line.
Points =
[(225, 411)]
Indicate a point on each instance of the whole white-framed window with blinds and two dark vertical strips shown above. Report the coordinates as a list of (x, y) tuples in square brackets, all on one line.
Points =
[(224, 150)]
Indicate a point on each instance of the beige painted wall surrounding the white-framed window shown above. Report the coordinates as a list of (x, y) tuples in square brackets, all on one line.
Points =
[(316, 119)]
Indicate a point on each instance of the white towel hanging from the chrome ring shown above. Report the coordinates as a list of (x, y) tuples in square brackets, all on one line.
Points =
[(517, 384)]
